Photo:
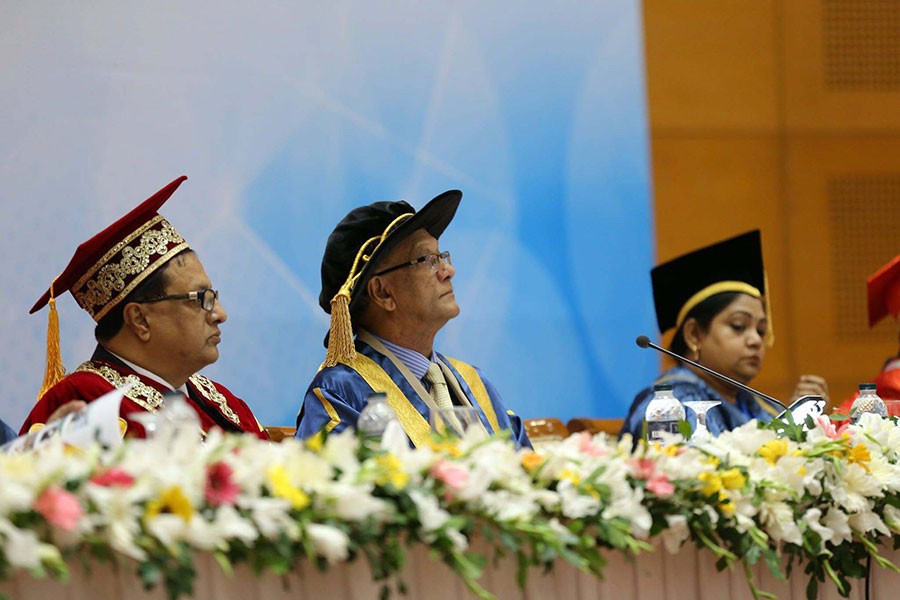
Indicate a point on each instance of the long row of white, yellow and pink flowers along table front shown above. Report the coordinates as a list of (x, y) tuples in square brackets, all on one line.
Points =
[(827, 499)]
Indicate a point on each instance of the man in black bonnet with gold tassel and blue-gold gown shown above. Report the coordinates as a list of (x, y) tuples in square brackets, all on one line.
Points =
[(386, 283)]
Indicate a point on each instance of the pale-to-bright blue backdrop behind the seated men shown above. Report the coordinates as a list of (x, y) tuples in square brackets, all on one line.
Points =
[(287, 115)]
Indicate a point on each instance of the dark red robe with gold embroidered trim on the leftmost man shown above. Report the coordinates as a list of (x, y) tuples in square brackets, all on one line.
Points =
[(214, 404)]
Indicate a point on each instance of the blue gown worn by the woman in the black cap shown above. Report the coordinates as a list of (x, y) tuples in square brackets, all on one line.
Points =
[(688, 386)]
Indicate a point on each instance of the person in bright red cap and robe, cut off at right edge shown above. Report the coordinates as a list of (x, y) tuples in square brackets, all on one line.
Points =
[(883, 290)]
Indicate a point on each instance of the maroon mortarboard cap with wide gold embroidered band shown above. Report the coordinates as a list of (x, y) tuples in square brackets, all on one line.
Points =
[(107, 267)]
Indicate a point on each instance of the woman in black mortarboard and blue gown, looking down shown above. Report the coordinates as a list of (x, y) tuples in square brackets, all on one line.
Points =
[(715, 299)]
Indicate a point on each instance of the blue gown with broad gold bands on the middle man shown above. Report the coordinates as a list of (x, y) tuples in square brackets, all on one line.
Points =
[(338, 394)]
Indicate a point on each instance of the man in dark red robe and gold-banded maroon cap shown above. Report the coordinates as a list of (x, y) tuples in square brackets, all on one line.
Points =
[(158, 323)]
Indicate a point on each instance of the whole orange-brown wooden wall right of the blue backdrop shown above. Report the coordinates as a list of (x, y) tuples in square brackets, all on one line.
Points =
[(784, 115)]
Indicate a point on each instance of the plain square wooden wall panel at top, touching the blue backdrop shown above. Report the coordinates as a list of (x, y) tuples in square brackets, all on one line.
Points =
[(711, 64)]
